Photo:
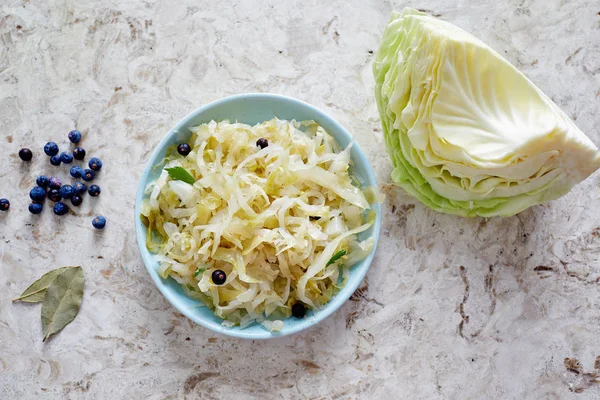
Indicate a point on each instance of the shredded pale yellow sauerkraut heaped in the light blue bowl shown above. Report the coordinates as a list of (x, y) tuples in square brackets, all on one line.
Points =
[(280, 220)]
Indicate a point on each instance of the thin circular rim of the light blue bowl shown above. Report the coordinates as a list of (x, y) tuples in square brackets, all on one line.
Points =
[(336, 302)]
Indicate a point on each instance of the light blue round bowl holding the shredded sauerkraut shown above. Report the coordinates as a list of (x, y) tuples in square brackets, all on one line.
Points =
[(253, 109)]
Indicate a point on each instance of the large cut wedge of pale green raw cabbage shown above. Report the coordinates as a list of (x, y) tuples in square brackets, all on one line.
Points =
[(467, 132)]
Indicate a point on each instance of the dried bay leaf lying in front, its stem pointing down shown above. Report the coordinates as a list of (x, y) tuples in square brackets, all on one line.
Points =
[(62, 300)]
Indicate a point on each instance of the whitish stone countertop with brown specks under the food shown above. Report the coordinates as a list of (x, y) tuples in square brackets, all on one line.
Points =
[(452, 308)]
